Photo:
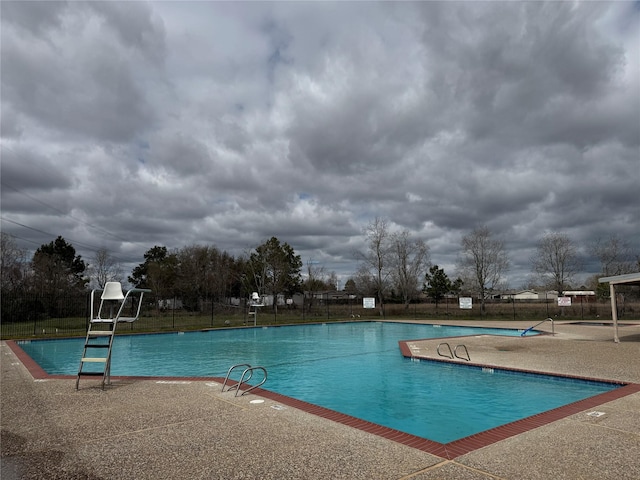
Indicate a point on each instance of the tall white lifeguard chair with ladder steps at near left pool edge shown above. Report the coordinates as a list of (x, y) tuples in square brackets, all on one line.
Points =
[(101, 331)]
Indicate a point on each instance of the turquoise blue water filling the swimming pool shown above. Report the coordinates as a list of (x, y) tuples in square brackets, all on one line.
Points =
[(352, 368)]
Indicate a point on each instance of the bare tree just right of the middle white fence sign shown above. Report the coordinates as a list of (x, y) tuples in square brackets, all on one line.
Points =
[(484, 262)]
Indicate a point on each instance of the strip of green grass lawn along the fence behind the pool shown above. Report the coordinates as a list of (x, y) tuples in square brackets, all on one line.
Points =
[(153, 321)]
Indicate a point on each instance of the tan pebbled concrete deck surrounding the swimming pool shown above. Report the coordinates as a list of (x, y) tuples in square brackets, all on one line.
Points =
[(188, 429)]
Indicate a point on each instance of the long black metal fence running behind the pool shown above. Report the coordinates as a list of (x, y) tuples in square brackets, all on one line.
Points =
[(33, 315)]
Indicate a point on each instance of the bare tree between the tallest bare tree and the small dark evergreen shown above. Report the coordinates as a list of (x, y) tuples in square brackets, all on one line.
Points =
[(409, 259)]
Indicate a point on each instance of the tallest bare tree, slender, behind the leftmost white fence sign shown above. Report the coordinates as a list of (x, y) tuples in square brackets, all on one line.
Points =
[(375, 264)]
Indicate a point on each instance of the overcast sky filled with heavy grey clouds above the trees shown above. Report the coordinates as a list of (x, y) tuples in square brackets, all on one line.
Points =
[(134, 124)]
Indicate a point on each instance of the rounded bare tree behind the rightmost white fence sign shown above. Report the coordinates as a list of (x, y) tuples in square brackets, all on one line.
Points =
[(556, 261)]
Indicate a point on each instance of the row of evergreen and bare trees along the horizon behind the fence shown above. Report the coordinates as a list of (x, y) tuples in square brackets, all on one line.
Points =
[(393, 267)]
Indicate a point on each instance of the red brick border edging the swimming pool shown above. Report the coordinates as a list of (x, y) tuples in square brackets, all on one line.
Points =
[(447, 451)]
